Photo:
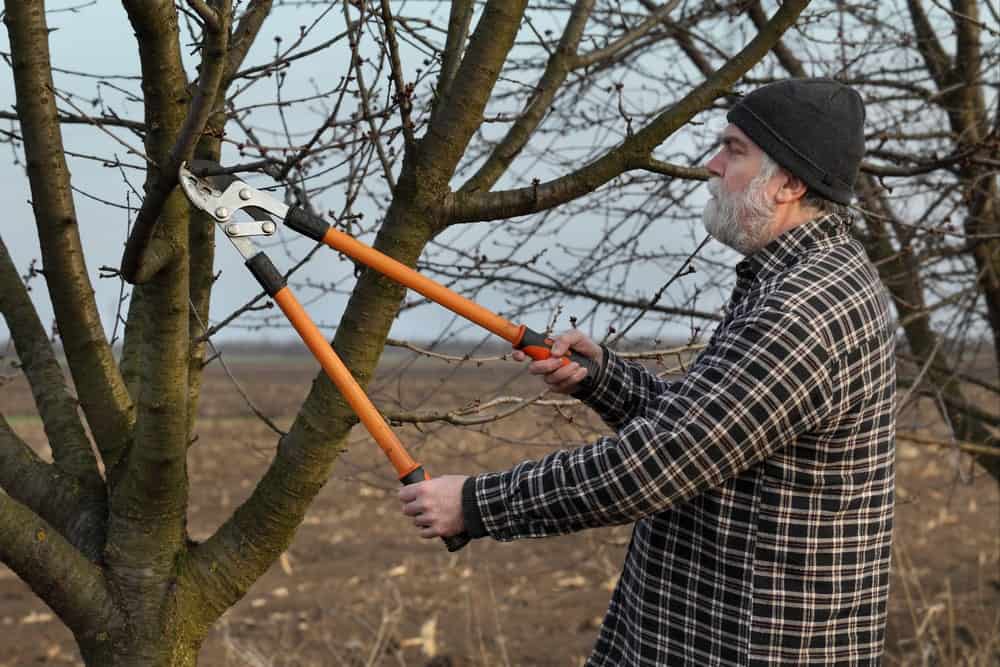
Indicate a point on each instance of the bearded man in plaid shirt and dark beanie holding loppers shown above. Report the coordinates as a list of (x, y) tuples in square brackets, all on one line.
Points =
[(761, 483)]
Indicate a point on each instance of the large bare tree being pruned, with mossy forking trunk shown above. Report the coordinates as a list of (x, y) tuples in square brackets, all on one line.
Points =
[(99, 533)]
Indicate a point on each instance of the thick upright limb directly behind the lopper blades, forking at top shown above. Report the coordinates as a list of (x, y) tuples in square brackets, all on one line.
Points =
[(146, 526)]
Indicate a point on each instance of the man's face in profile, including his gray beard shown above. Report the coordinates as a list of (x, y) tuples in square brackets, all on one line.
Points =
[(741, 211)]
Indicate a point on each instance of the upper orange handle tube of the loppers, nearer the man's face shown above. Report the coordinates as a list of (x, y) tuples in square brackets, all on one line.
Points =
[(421, 284)]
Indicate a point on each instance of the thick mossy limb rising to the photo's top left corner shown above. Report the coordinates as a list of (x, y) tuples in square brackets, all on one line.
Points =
[(101, 390)]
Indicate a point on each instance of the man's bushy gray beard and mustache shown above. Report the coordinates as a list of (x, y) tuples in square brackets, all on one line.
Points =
[(739, 220)]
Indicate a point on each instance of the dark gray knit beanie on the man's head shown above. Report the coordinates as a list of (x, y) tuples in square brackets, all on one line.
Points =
[(814, 128)]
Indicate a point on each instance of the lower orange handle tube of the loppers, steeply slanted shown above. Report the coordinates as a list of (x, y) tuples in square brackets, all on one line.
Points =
[(348, 386)]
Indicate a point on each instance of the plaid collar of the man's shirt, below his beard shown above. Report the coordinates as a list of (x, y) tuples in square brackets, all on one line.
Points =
[(786, 250)]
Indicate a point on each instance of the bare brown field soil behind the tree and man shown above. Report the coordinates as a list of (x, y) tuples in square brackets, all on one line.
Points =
[(357, 587)]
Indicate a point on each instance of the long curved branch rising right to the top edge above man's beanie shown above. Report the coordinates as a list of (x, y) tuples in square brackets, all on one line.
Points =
[(470, 207)]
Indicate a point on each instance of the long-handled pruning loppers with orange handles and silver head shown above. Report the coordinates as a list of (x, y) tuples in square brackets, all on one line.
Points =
[(222, 195)]
